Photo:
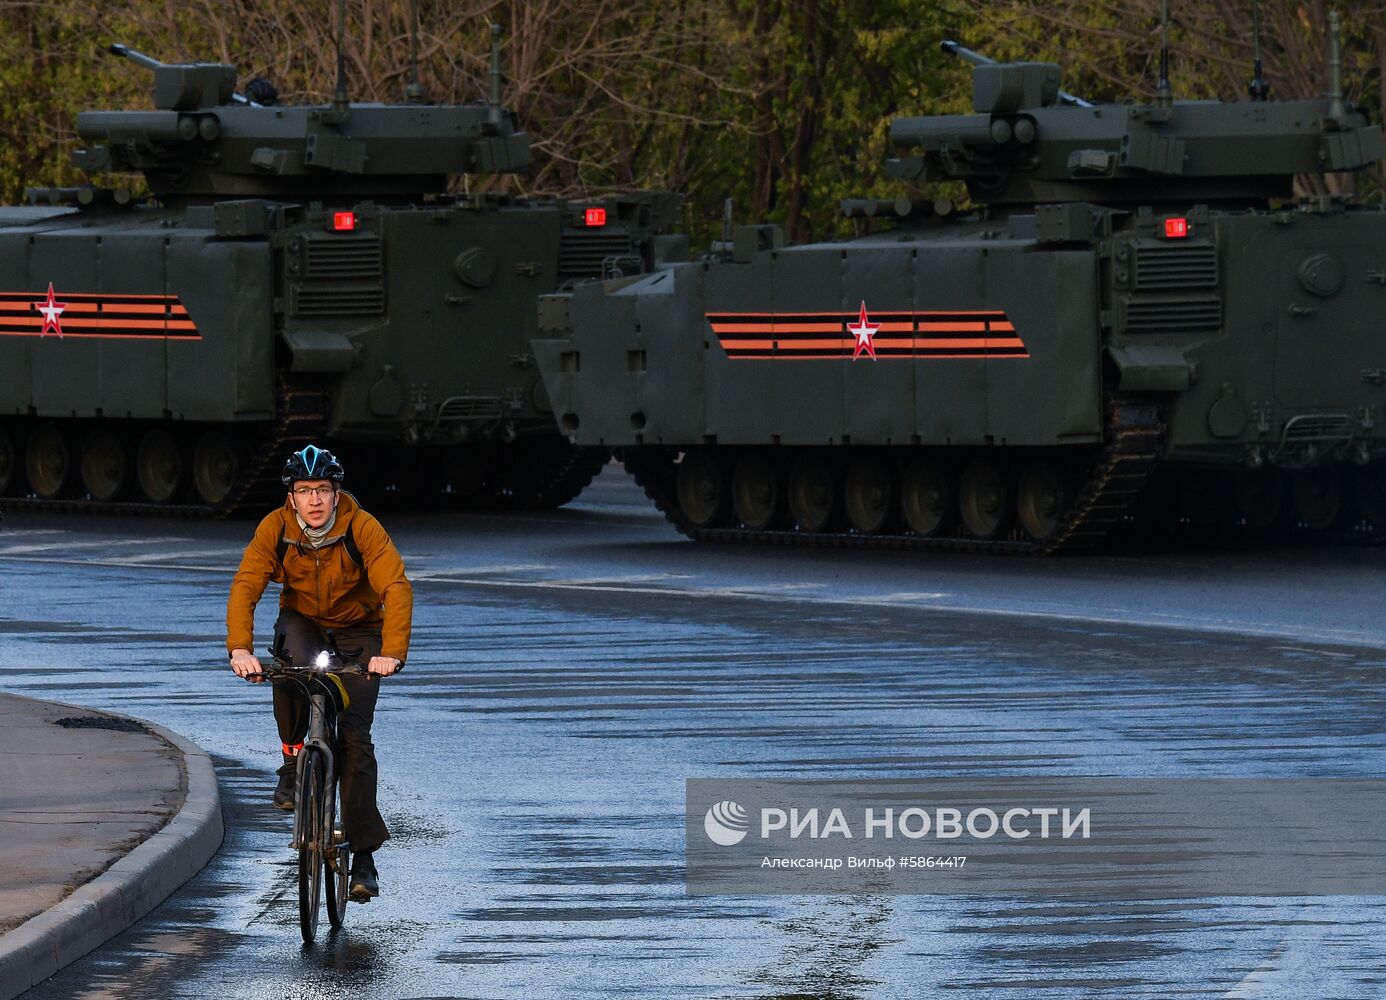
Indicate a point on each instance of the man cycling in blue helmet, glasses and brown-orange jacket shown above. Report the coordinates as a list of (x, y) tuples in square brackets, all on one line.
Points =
[(339, 571)]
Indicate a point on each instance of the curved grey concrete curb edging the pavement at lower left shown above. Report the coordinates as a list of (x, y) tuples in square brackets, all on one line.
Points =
[(128, 890)]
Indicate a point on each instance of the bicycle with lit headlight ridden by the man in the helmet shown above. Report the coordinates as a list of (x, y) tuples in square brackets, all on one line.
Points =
[(318, 837)]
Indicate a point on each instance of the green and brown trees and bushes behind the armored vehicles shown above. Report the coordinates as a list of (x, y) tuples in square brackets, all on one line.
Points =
[(782, 106)]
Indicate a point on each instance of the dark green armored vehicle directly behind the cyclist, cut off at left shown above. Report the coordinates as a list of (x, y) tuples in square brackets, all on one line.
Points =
[(299, 274)]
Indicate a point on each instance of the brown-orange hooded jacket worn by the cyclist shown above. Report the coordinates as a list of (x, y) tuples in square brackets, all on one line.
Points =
[(325, 584)]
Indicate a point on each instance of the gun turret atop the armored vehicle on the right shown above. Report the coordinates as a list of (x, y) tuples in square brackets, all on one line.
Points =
[(1022, 148)]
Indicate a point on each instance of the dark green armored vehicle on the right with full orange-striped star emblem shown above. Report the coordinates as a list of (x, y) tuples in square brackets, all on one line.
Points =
[(1137, 316)]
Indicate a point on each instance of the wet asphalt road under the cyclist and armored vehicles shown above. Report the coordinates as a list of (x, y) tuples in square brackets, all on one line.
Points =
[(569, 672)]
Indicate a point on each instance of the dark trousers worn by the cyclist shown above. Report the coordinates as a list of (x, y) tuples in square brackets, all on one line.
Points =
[(303, 641)]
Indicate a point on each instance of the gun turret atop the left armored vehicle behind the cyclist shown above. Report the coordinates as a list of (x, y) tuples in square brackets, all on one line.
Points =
[(204, 142)]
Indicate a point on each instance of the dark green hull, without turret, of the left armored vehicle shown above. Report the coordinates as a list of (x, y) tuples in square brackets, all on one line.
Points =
[(185, 350)]
